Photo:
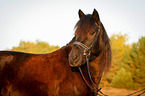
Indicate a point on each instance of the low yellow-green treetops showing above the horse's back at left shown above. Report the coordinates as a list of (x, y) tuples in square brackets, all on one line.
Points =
[(35, 47)]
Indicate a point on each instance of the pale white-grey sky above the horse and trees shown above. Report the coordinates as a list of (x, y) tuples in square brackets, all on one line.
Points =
[(53, 21)]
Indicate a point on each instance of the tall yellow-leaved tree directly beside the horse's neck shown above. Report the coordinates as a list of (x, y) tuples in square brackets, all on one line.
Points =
[(119, 48)]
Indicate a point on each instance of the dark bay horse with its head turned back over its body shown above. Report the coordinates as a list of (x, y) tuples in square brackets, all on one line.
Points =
[(57, 73)]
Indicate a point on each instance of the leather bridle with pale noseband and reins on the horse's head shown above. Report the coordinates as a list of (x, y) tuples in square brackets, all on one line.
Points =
[(86, 53)]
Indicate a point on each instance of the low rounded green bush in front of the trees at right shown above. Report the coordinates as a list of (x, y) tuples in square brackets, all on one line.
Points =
[(122, 79)]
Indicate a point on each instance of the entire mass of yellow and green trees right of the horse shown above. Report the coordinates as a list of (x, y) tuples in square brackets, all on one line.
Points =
[(128, 60)]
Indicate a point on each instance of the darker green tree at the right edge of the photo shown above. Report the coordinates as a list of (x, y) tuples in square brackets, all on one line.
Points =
[(134, 61)]
